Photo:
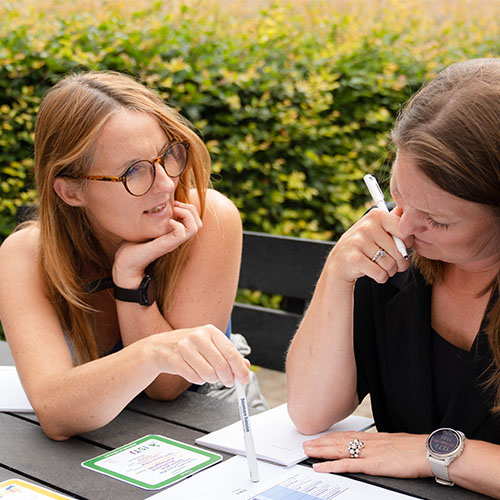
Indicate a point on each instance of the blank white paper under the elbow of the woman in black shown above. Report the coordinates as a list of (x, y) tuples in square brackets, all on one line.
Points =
[(275, 435)]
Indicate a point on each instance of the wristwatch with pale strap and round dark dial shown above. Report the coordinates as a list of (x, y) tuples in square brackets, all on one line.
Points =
[(443, 446)]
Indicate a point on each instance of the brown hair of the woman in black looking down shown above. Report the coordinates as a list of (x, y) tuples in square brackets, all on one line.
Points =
[(451, 130)]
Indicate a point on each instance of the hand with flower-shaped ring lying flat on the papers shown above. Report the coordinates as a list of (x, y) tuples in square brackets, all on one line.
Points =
[(383, 454)]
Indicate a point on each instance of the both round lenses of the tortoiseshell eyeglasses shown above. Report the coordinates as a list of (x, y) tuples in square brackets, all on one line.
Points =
[(140, 176)]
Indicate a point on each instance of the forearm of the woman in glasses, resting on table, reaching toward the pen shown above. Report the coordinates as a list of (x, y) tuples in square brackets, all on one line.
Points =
[(89, 396)]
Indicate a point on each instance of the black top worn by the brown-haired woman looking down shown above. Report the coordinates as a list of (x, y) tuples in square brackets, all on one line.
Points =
[(399, 362)]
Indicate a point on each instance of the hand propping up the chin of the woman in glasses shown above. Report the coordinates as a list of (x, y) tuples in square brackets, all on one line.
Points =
[(132, 258)]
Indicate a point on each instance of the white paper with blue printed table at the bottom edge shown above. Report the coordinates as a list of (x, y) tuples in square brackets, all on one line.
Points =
[(230, 480)]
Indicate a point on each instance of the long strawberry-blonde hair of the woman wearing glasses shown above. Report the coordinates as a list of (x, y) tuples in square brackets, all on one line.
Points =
[(69, 121)]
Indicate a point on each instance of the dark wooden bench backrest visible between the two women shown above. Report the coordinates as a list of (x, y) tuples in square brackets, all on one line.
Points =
[(280, 265)]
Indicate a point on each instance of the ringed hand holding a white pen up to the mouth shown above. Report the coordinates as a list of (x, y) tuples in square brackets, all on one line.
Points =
[(352, 255)]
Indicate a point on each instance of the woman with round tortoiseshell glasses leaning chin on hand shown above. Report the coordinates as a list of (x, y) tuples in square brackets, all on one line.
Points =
[(127, 279)]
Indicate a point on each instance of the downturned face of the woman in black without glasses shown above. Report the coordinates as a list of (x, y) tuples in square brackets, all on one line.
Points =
[(443, 227)]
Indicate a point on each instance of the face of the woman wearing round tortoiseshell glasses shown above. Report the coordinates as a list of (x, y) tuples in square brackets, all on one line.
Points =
[(115, 214)]
